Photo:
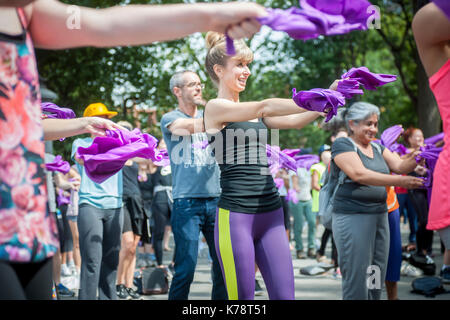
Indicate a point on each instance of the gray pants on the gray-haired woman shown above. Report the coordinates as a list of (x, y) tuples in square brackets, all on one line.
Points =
[(362, 241)]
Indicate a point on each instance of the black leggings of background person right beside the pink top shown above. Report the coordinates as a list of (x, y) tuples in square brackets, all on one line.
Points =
[(424, 237)]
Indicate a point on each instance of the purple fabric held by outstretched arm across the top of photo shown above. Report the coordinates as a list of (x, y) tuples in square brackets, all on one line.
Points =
[(315, 18)]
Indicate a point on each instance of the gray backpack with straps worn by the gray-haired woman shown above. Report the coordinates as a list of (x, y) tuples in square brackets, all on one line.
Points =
[(333, 177)]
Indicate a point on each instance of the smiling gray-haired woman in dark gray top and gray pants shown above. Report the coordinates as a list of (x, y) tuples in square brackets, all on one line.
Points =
[(360, 221)]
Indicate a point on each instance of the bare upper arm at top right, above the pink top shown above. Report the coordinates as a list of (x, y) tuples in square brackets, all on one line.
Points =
[(431, 30)]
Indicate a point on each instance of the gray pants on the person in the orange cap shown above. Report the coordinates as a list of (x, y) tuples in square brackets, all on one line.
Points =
[(100, 233)]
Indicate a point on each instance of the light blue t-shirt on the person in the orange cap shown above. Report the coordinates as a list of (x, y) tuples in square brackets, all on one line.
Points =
[(106, 195)]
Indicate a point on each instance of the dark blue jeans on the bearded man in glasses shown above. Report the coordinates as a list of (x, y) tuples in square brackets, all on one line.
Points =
[(189, 217)]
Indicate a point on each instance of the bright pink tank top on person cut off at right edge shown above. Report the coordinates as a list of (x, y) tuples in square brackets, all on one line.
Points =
[(439, 214)]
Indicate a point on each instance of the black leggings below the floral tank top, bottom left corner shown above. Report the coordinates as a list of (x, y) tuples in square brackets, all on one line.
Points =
[(22, 281)]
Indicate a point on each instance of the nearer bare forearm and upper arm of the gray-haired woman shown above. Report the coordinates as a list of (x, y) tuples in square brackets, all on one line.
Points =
[(351, 164)]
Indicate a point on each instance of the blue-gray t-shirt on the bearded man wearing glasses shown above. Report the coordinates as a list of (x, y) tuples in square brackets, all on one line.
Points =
[(195, 173)]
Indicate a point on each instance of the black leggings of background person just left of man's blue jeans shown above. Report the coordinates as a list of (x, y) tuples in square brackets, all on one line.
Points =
[(161, 218)]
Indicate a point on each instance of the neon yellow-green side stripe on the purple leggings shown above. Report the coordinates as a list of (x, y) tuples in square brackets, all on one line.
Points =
[(226, 253)]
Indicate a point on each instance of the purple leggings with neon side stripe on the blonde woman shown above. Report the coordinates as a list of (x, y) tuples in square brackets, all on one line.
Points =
[(243, 238)]
